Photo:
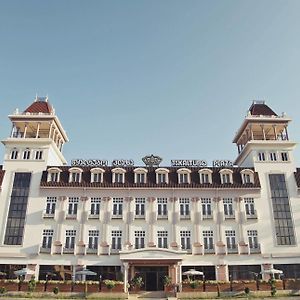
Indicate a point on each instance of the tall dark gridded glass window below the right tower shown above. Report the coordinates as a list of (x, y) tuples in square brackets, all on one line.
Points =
[(284, 227)]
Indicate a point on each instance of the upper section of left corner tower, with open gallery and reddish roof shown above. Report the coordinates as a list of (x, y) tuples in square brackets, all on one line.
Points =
[(36, 136)]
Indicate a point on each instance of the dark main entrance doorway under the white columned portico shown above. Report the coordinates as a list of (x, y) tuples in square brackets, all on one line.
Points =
[(153, 277)]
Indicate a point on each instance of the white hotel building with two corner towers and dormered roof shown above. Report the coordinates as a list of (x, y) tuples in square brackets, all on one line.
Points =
[(152, 220)]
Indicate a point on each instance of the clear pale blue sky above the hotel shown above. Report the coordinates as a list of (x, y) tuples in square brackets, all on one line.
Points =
[(130, 78)]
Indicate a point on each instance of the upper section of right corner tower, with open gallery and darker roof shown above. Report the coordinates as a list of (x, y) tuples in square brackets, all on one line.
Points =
[(263, 137)]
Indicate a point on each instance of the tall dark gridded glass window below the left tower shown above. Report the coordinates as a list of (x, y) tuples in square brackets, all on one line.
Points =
[(17, 209)]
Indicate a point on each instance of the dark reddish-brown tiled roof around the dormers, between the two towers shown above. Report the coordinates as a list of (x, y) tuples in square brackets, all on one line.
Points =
[(151, 179)]
